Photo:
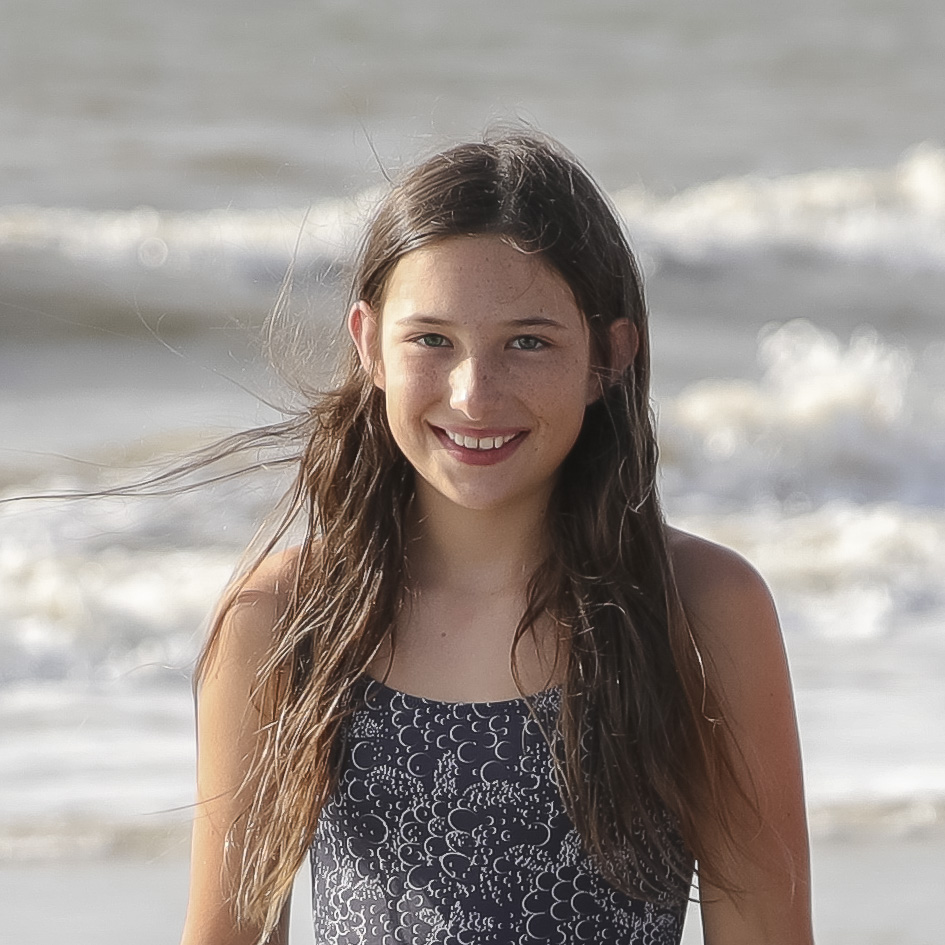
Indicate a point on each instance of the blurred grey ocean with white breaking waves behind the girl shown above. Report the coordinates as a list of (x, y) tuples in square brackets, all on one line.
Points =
[(781, 169)]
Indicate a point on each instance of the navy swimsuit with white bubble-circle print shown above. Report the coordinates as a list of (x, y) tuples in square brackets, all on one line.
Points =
[(447, 827)]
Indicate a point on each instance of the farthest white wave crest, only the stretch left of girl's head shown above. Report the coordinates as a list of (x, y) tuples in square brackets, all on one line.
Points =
[(189, 269)]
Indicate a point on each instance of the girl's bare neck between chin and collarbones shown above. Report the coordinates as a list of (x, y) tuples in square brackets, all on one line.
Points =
[(474, 551)]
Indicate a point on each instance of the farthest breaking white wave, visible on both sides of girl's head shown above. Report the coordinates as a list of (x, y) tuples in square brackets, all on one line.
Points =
[(208, 264)]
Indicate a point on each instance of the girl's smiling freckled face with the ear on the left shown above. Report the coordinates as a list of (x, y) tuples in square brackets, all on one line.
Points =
[(484, 357)]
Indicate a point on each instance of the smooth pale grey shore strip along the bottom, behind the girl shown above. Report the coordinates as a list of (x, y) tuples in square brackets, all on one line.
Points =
[(870, 889)]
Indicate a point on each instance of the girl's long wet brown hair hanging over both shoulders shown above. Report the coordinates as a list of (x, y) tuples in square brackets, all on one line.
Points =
[(640, 750)]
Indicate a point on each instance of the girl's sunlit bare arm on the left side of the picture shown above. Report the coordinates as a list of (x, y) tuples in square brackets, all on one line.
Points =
[(229, 720)]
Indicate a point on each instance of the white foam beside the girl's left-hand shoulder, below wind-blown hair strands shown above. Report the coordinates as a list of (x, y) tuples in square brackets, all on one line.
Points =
[(97, 588)]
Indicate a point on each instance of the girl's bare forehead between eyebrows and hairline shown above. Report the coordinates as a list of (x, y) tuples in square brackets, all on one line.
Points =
[(476, 274)]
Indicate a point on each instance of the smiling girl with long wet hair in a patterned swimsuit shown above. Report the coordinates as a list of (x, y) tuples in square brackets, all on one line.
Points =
[(492, 694)]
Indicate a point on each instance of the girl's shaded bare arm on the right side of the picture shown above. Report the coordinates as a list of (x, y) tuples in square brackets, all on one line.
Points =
[(734, 622)]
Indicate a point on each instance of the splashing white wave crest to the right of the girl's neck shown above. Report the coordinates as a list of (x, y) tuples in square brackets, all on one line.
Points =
[(824, 421)]
